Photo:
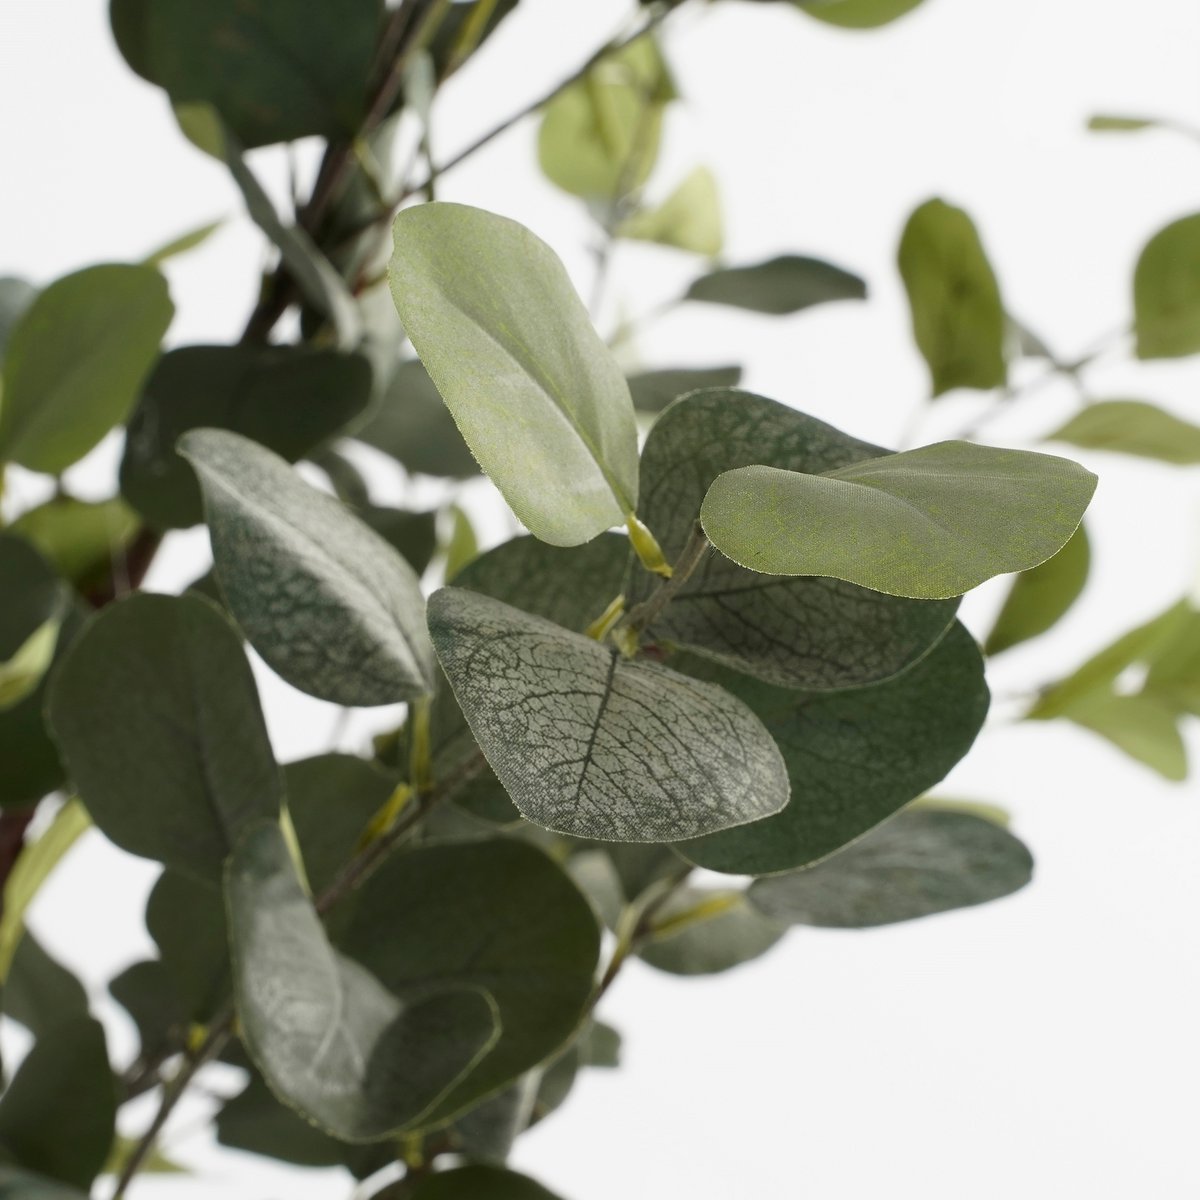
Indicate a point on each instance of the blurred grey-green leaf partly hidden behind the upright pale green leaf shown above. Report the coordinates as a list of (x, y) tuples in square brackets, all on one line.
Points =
[(415, 427)]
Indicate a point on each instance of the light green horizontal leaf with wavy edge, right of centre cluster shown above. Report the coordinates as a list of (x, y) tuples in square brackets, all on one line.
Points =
[(927, 524)]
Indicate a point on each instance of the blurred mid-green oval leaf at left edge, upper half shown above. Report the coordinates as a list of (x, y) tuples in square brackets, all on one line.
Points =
[(58, 406)]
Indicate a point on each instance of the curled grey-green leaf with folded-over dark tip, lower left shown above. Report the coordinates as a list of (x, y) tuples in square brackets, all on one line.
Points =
[(329, 1037)]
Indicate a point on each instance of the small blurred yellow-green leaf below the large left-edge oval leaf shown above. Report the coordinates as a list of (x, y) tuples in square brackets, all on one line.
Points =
[(82, 539)]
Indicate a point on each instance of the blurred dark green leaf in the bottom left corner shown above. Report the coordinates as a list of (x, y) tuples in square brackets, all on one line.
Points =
[(57, 1117)]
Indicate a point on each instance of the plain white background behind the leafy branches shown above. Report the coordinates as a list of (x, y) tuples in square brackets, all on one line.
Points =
[(1040, 1048)]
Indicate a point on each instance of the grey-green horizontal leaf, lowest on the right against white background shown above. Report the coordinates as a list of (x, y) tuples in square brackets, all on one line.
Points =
[(920, 863)]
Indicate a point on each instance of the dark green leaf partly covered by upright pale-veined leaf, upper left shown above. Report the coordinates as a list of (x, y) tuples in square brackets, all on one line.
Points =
[(290, 399)]
